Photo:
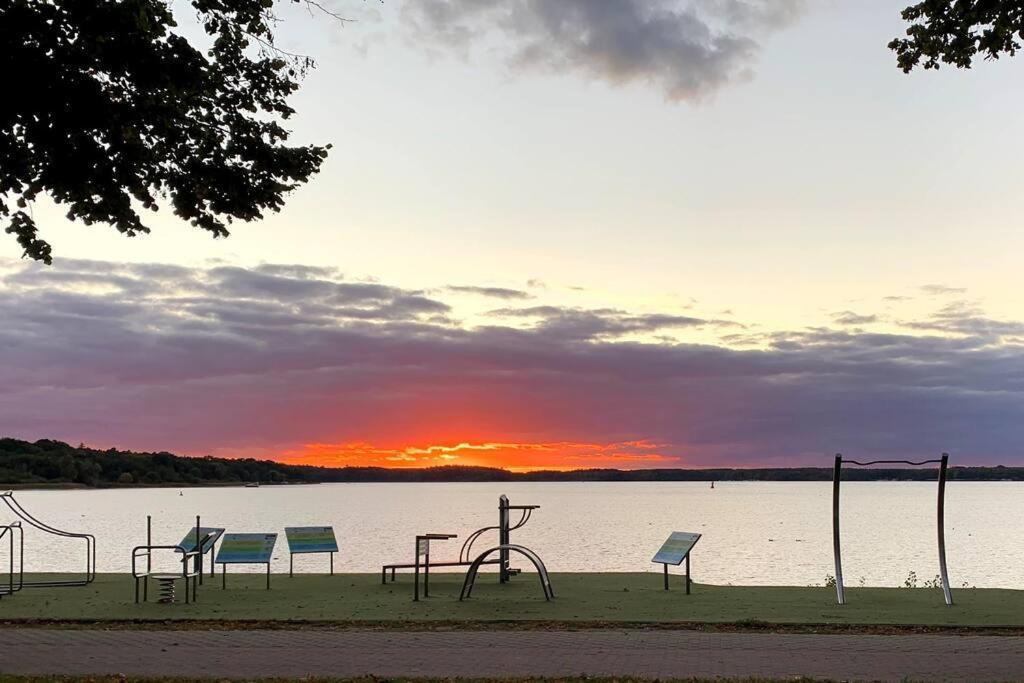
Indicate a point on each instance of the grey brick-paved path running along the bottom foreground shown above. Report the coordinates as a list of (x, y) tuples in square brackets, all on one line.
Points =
[(653, 654)]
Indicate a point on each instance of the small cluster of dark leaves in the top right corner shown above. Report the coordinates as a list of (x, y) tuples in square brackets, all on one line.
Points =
[(956, 32)]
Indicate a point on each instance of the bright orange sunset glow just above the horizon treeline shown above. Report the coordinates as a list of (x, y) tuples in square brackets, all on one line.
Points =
[(511, 456)]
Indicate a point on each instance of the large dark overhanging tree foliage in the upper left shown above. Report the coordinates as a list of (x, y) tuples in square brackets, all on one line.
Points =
[(110, 111)]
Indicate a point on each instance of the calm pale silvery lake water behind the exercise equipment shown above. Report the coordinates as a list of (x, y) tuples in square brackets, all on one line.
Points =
[(778, 533)]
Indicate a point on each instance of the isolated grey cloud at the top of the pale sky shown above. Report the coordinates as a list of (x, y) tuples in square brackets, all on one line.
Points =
[(689, 50)]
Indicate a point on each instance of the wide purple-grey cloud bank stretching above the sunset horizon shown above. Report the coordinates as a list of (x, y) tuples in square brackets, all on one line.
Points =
[(218, 360)]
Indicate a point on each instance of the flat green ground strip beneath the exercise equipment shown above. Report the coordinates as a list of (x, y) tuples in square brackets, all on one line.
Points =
[(582, 600)]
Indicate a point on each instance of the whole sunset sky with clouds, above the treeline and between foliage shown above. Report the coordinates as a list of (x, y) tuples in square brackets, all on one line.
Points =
[(562, 234)]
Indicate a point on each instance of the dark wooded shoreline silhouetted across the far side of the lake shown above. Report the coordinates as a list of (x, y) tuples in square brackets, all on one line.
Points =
[(55, 463)]
